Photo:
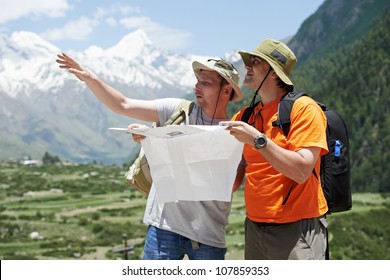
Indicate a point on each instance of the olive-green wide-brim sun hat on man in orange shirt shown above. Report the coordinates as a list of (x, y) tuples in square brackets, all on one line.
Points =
[(277, 54)]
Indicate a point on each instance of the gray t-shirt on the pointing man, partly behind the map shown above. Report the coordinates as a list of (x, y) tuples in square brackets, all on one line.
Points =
[(201, 221)]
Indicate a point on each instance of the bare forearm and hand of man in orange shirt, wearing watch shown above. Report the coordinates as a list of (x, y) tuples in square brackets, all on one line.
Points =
[(295, 165)]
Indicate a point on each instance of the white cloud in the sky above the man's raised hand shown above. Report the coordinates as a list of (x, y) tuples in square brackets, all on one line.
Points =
[(74, 30)]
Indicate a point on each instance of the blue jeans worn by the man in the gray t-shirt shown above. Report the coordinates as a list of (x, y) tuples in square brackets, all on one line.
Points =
[(165, 245)]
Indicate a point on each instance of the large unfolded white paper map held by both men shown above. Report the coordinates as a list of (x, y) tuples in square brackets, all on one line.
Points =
[(199, 165)]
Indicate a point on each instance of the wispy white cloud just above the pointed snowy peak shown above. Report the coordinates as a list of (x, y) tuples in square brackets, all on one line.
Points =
[(162, 36)]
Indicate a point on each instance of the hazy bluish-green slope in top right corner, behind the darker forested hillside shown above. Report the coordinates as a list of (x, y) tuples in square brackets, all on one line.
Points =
[(337, 23)]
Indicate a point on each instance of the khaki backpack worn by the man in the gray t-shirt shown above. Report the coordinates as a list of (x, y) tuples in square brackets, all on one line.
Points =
[(138, 174)]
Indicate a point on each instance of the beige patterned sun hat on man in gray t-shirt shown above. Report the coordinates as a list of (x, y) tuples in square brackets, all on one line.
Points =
[(224, 69)]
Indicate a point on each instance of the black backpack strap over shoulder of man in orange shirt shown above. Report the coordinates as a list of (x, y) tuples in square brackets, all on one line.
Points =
[(284, 110)]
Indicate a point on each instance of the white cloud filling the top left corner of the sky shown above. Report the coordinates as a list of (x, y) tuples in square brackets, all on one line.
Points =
[(15, 9)]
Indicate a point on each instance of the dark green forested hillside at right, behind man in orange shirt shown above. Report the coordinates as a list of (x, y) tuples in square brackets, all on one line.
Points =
[(354, 80)]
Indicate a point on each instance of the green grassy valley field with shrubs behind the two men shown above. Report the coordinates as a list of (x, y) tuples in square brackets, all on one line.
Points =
[(89, 211)]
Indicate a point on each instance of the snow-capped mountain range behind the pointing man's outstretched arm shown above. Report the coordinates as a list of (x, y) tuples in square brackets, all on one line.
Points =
[(45, 108)]
